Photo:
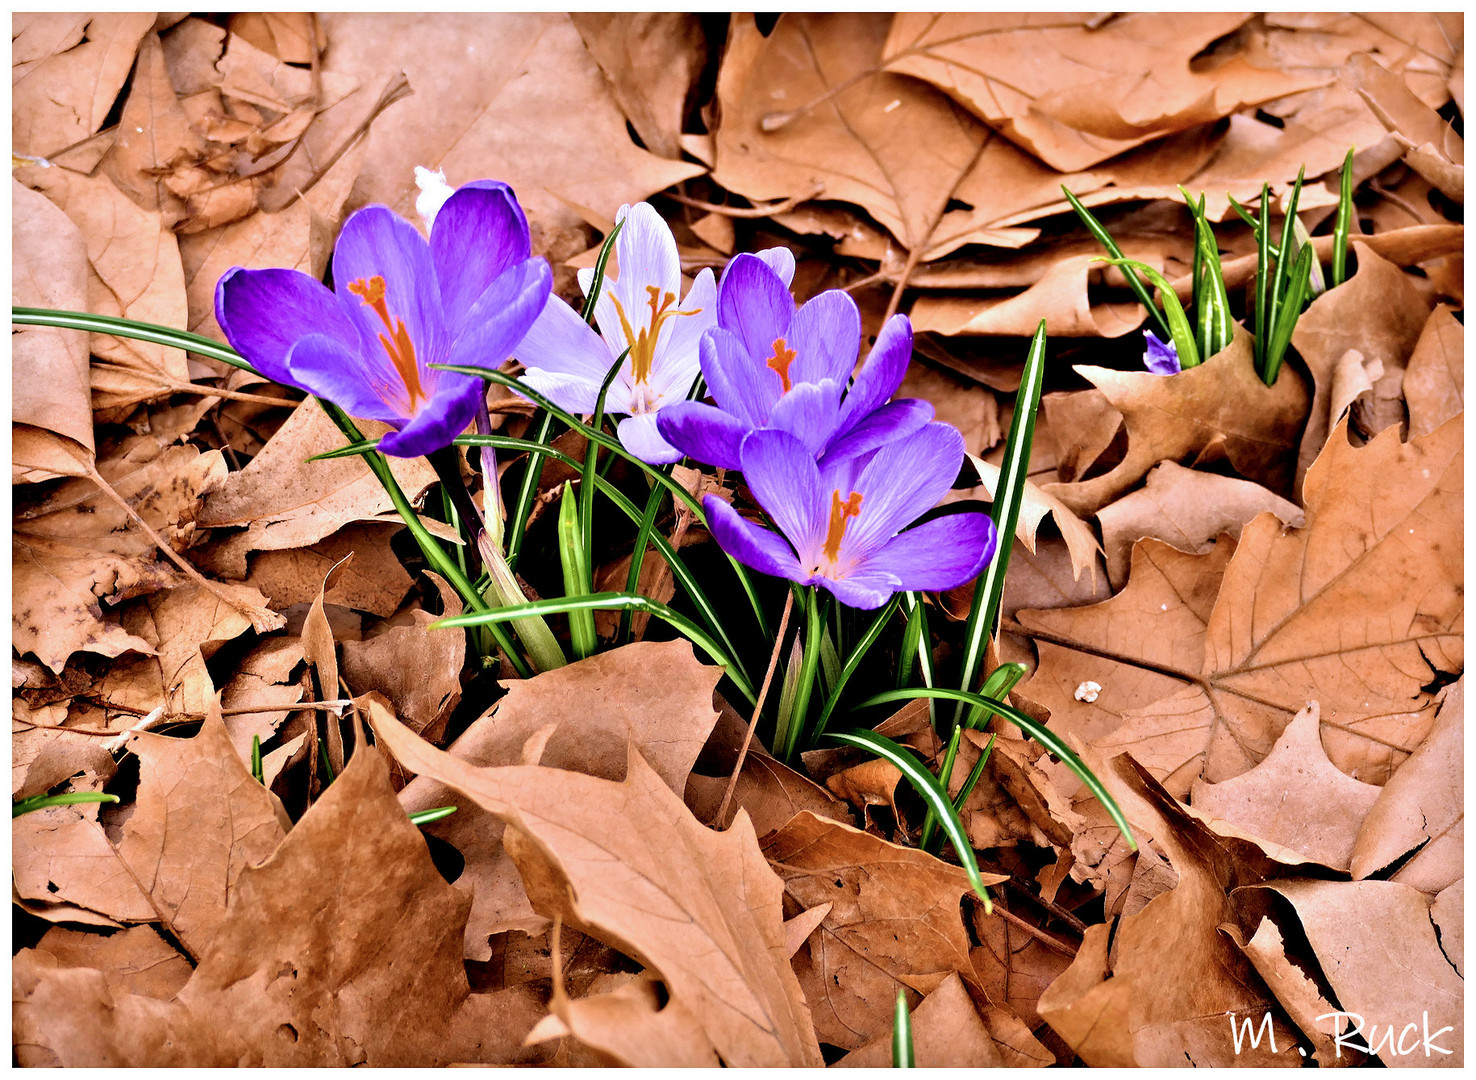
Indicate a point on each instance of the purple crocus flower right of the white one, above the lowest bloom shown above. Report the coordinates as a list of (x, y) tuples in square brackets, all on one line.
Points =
[(773, 367)]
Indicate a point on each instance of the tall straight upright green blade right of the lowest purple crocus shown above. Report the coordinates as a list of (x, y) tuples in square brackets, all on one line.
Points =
[(1015, 470)]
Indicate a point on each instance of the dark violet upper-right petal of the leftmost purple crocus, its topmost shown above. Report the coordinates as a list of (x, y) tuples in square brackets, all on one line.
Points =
[(480, 234)]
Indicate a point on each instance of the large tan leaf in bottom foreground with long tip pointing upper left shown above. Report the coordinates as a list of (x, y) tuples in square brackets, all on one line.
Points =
[(630, 865)]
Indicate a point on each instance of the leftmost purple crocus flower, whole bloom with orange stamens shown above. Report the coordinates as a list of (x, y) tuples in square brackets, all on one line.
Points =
[(467, 297)]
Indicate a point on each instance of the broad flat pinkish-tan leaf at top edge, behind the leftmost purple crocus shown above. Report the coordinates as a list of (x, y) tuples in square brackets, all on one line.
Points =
[(482, 119)]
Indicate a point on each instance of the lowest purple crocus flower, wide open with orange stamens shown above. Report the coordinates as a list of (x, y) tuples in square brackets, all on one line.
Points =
[(842, 520)]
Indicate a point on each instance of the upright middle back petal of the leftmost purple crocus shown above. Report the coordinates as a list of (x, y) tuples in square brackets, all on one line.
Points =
[(377, 243)]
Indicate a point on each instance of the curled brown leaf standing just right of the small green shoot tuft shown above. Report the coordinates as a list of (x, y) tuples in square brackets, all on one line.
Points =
[(1376, 312)]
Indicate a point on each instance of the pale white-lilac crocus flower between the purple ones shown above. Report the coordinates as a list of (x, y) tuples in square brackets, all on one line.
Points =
[(638, 309)]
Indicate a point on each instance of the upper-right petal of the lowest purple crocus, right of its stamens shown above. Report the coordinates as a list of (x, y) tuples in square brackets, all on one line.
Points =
[(900, 483)]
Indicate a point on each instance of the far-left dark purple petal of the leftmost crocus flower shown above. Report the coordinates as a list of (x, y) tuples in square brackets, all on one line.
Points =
[(263, 314)]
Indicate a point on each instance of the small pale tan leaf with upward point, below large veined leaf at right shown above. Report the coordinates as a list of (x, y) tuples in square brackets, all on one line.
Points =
[(1295, 797)]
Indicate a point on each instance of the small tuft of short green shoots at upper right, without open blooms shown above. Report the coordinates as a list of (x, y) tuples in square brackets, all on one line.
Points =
[(1288, 278)]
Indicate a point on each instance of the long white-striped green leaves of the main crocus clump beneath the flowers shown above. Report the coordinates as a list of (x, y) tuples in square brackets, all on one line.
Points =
[(815, 688)]
